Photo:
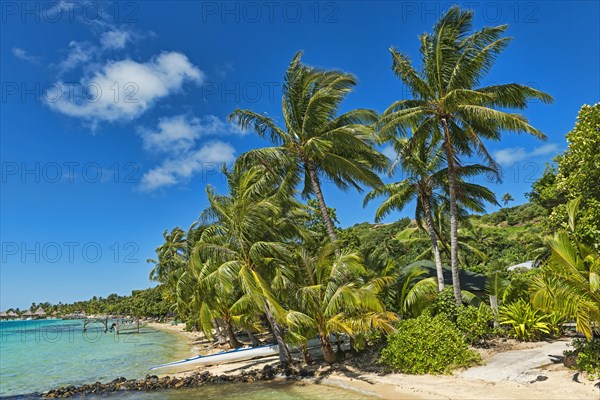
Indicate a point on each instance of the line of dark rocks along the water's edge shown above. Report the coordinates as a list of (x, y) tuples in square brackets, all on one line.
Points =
[(196, 379)]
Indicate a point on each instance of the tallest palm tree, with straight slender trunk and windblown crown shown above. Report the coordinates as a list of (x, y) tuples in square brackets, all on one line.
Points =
[(449, 104)]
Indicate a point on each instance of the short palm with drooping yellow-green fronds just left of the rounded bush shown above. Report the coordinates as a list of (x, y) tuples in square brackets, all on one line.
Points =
[(335, 298)]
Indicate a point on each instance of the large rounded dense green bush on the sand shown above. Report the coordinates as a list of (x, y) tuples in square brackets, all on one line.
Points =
[(427, 345)]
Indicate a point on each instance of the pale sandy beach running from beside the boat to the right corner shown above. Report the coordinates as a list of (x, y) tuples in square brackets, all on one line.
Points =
[(510, 371)]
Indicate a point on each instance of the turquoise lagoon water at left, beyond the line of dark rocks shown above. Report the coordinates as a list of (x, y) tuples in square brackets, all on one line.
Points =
[(37, 356)]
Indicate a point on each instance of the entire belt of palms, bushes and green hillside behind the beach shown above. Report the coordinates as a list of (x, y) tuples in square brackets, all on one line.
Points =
[(266, 260)]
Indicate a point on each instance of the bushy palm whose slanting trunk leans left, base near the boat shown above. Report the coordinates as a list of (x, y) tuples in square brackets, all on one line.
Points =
[(246, 238)]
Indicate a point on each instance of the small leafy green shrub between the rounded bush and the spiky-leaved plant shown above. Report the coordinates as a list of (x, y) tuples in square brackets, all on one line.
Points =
[(476, 323)]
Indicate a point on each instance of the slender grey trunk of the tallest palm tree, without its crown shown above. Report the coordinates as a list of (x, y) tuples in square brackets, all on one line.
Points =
[(453, 216)]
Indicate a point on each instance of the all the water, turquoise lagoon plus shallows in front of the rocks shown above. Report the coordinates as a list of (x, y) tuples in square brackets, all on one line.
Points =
[(36, 356)]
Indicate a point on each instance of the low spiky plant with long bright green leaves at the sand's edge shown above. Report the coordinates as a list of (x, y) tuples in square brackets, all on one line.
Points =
[(525, 322)]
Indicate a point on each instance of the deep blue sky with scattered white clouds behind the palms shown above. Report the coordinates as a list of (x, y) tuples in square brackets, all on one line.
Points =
[(113, 115)]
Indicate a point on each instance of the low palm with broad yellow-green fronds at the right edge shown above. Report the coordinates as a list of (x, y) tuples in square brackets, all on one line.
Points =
[(570, 282)]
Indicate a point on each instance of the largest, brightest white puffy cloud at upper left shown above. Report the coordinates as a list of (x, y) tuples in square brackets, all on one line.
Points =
[(123, 90)]
